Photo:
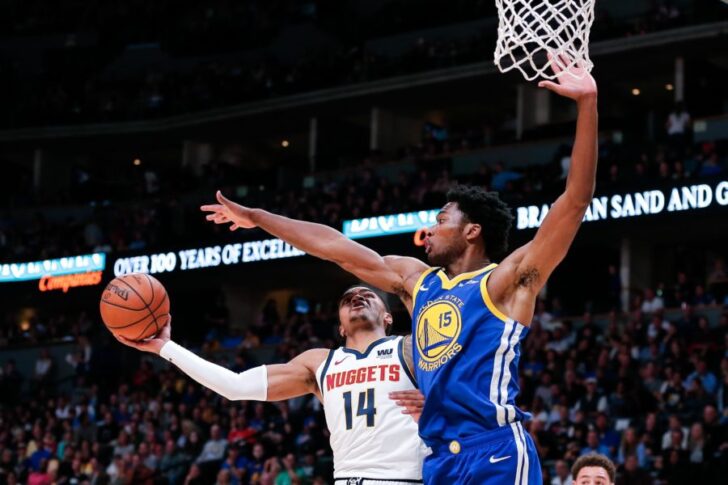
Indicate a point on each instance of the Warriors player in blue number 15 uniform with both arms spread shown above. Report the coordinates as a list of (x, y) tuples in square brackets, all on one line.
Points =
[(468, 313)]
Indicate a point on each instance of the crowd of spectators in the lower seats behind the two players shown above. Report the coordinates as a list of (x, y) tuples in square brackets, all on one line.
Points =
[(648, 389)]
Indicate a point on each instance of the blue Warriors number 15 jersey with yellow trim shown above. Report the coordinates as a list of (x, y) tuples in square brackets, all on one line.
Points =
[(466, 357)]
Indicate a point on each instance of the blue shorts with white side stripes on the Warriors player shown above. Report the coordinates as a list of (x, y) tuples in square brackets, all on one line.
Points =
[(504, 456)]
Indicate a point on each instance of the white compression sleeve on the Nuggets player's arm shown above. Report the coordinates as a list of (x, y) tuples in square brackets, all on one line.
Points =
[(251, 385)]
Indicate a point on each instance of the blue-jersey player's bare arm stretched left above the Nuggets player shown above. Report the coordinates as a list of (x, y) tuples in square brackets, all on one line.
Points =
[(393, 274)]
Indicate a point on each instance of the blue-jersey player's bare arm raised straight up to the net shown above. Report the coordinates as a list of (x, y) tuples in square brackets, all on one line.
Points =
[(515, 284)]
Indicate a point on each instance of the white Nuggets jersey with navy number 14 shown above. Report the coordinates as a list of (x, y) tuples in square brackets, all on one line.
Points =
[(370, 437)]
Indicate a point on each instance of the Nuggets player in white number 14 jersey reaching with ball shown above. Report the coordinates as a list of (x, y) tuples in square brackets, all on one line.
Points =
[(373, 441)]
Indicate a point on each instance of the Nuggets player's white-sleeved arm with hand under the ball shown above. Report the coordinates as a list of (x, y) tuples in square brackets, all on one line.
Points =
[(262, 383)]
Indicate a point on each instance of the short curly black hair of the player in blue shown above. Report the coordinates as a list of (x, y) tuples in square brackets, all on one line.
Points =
[(487, 209)]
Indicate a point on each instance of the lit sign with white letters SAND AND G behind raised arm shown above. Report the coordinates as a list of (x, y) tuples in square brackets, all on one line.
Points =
[(637, 204)]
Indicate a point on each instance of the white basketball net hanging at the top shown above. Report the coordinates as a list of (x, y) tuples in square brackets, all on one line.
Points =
[(533, 34)]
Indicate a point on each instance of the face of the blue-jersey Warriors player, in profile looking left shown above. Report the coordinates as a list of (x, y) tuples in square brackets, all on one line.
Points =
[(445, 241)]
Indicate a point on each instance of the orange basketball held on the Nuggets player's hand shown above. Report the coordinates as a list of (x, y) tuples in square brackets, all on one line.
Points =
[(134, 306)]
